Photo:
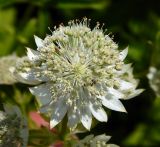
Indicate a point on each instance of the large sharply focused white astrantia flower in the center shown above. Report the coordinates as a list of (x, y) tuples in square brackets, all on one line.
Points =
[(76, 71)]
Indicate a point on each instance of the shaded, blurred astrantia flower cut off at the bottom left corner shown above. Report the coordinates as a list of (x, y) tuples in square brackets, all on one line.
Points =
[(13, 128)]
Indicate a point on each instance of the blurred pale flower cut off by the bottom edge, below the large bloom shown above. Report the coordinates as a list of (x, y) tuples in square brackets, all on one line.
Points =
[(98, 141)]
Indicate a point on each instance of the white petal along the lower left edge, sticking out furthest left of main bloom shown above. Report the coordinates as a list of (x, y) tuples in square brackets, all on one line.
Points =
[(27, 78)]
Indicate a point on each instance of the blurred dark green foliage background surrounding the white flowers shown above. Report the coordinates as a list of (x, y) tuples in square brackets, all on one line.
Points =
[(133, 23)]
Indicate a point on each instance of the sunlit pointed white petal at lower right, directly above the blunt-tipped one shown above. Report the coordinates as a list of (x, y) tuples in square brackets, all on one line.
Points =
[(113, 103)]
